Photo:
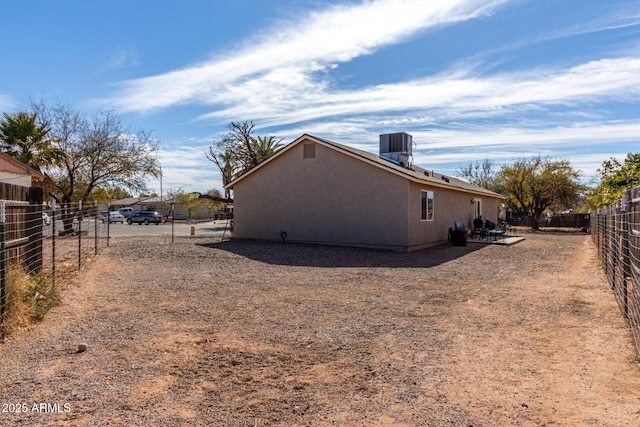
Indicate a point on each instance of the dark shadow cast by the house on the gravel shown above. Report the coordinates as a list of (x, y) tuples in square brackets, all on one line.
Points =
[(307, 255)]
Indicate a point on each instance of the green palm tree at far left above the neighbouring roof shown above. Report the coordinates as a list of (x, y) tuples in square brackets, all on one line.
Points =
[(27, 140)]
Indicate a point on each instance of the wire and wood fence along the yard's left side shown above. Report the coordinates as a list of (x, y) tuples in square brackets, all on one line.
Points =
[(42, 247)]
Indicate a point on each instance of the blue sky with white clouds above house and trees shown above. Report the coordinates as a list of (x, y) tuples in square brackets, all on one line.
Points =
[(469, 79)]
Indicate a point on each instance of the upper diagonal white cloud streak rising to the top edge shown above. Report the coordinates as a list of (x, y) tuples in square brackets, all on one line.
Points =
[(290, 57)]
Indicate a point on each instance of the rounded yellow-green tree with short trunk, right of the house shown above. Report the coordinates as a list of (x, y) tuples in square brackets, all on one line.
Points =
[(536, 184)]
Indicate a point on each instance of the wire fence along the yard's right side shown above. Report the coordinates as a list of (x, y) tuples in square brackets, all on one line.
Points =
[(615, 231)]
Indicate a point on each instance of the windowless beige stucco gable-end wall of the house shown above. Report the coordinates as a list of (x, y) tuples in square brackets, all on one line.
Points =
[(332, 198)]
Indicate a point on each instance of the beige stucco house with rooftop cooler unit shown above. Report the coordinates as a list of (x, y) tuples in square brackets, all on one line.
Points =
[(319, 191)]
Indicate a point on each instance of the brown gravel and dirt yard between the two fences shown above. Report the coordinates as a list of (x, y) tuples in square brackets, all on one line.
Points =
[(255, 334)]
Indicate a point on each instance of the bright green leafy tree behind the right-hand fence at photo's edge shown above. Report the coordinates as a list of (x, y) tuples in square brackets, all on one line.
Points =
[(615, 178)]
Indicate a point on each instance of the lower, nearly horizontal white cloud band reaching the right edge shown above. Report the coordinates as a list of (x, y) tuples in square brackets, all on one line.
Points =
[(444, 97)]
